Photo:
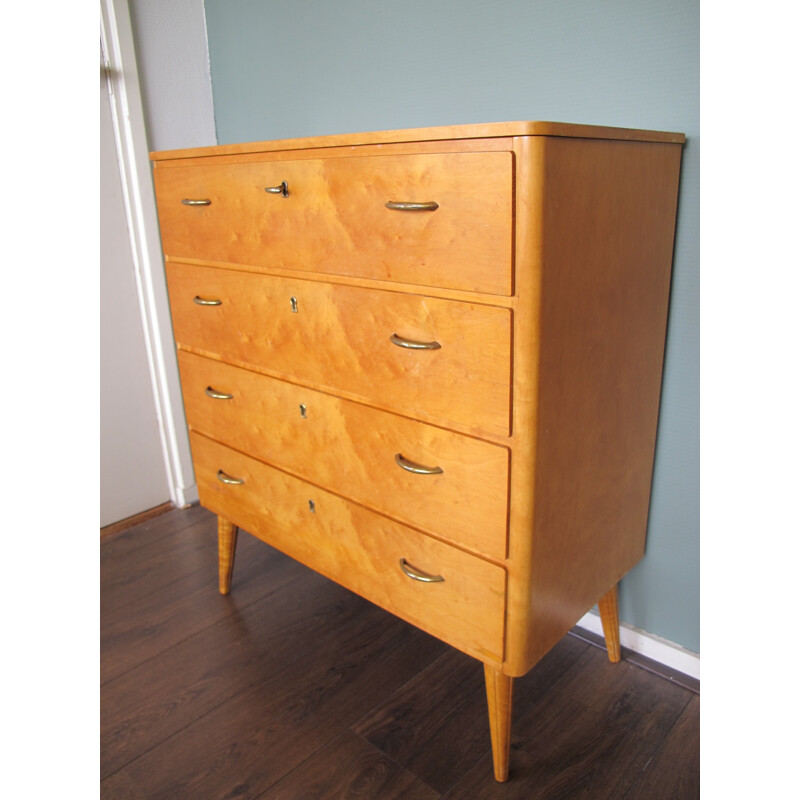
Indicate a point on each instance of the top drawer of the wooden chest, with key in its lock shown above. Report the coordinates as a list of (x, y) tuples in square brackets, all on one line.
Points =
[(335, 220)]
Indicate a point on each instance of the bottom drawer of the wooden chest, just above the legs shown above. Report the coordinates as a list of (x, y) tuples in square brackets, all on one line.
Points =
[(359, 549)]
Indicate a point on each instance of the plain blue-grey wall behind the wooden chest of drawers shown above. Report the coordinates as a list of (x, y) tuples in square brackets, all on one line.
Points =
[(309, 67)]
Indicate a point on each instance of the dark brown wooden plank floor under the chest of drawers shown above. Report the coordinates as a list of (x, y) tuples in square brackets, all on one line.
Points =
[(293, 688)]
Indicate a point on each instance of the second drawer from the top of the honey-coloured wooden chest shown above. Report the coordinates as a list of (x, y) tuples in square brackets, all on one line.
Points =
[(337, 338)]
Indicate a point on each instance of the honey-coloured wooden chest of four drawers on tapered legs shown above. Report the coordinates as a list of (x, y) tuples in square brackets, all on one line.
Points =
[(427, 364)]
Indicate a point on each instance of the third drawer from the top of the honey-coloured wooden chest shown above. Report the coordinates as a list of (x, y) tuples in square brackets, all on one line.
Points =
[(353, 450)]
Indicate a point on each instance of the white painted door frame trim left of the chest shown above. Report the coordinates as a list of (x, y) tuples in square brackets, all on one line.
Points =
[(139, 198)]
